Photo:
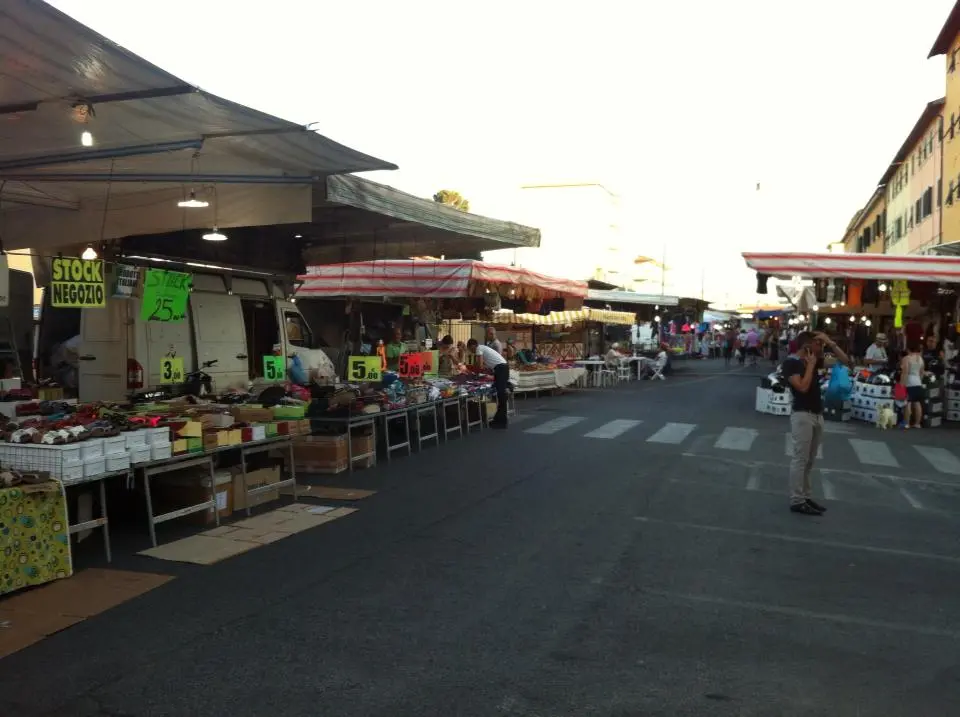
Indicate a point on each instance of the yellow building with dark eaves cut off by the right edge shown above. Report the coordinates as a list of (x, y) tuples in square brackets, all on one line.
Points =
[(948, 45)]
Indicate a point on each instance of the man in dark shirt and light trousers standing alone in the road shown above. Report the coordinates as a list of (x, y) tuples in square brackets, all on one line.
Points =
[(806, 421)]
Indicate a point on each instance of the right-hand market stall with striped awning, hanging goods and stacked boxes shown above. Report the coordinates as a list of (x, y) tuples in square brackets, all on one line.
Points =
[(906, 300)]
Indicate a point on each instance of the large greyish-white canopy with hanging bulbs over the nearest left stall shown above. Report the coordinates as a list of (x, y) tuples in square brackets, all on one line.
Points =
[(154, 137)]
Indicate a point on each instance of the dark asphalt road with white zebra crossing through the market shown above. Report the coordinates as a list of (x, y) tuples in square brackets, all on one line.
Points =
[(593, 560)]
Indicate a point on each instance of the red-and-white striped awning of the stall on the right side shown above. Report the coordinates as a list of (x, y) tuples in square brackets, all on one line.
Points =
[(856, 266)]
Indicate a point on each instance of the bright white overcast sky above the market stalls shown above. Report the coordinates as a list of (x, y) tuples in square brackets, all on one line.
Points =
[(681, 107)]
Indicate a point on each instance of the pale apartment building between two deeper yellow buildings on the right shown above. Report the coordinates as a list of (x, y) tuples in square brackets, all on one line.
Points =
[(913, 186)]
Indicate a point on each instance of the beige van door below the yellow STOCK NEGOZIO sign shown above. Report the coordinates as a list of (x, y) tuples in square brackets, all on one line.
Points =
[(102, 368)]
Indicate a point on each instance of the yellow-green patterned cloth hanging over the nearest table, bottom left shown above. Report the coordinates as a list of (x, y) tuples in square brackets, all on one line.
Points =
[(34, 536)]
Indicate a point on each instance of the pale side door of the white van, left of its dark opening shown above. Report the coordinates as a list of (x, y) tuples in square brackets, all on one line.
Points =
[(218, 328)]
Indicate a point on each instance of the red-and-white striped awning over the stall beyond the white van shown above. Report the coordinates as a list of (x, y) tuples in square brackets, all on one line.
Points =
[(435, 279)]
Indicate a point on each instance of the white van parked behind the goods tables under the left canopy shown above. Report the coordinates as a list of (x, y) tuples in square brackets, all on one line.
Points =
[(231, 320)]
